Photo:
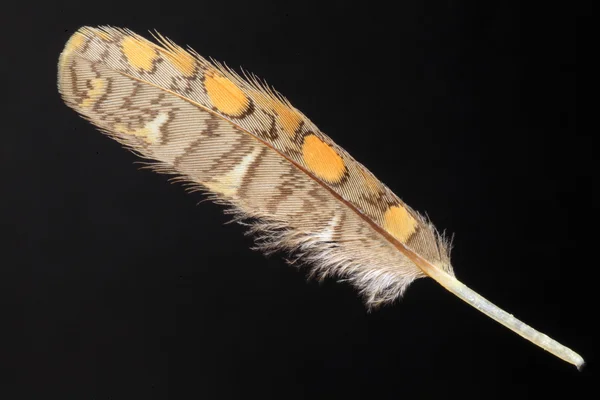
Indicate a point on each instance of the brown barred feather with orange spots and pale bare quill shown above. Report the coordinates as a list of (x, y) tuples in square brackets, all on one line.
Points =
[(248, 147)]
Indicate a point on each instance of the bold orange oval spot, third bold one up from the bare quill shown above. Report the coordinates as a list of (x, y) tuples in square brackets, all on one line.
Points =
[(225, 95)]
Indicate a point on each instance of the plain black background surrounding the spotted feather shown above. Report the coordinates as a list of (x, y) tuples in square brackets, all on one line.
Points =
[(115, 285)]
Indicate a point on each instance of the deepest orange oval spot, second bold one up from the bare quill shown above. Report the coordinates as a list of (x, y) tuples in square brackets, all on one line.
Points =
[(322, 160)]
